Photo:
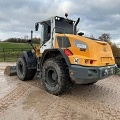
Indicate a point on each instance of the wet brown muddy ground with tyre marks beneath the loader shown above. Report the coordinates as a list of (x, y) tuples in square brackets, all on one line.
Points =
[(28, 101)]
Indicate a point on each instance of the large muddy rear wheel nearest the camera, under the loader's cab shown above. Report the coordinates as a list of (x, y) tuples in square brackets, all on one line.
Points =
[(55, 76)]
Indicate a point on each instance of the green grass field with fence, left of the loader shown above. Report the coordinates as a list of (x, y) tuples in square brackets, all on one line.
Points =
[(11, 51)]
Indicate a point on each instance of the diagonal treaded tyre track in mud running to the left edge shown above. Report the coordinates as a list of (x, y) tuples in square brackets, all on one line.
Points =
[(10, 98)]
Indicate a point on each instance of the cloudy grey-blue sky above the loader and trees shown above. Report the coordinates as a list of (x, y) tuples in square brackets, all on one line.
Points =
[(17, 17)]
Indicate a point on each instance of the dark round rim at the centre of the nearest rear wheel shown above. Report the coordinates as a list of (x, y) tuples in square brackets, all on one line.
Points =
[(51, 77)]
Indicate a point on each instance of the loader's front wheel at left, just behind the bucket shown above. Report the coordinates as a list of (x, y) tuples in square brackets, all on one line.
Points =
[(23, 72)]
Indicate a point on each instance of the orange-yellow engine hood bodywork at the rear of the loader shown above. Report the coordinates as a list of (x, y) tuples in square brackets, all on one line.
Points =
[(98, 52)]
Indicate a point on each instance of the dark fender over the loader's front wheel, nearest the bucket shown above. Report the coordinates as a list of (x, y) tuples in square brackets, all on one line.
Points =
[(30, 59)]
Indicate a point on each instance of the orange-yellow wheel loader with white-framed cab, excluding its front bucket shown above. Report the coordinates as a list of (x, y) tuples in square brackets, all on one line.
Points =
[(65, 57)]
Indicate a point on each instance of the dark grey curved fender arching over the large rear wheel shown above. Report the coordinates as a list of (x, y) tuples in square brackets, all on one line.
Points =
[(48, 52)]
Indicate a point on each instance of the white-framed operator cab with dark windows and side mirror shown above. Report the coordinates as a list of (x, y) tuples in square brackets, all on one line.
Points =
[(52, 26)]
